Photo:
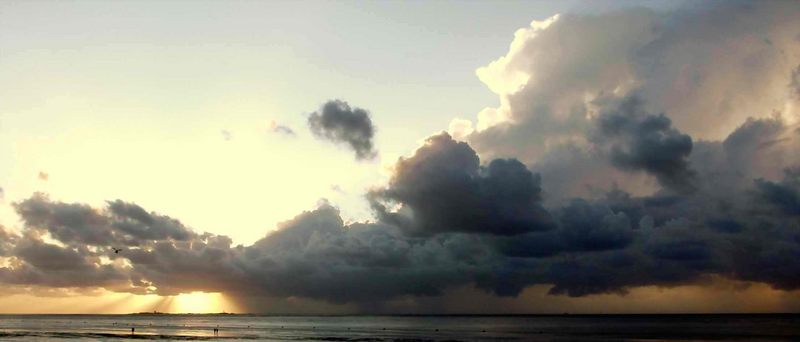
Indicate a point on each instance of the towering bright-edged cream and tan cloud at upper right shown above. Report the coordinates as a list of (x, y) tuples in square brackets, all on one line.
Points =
[(556, 70)]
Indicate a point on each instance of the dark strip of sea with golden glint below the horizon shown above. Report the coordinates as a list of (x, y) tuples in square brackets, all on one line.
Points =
[(405, 328)]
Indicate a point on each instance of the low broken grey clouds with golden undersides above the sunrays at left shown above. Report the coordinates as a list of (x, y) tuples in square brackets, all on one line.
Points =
[(160, 256)]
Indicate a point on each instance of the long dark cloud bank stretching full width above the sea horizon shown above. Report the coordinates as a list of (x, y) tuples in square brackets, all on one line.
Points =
[(498, 238)]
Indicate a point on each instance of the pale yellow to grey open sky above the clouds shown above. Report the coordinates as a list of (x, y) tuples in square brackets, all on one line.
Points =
[(152, 86)]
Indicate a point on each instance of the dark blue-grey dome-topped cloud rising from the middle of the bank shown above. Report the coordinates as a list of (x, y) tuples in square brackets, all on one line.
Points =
[(443, 188)]
